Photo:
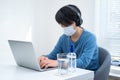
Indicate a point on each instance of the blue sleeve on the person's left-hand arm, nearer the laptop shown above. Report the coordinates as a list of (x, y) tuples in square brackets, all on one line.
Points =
[(57, 49)]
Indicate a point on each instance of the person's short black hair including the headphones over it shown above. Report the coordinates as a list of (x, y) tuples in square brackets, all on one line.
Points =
[(67, 14)]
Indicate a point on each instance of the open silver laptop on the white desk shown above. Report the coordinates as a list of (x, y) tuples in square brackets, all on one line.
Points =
[(24, 54)]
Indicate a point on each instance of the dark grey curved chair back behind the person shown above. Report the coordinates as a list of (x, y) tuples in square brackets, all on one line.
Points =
[(104, 62)]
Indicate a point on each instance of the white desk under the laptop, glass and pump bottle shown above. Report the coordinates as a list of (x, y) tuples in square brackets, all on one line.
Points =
[(13, 72)]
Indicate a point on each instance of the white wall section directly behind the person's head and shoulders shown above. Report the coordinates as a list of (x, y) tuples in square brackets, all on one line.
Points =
[(46, 31)]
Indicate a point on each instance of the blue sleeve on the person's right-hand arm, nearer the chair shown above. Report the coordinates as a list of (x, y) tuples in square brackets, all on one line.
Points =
[(84, 60)]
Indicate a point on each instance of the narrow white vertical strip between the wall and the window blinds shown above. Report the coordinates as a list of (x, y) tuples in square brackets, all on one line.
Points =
[(101, 22)]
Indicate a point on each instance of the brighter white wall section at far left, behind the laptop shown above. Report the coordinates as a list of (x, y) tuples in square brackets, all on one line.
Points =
[(16, 17)]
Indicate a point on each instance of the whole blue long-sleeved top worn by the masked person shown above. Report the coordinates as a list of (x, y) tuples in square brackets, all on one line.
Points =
[(85, 48)]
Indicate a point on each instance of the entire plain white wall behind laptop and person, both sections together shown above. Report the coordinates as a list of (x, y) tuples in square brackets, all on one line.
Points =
[(17, 16)]
